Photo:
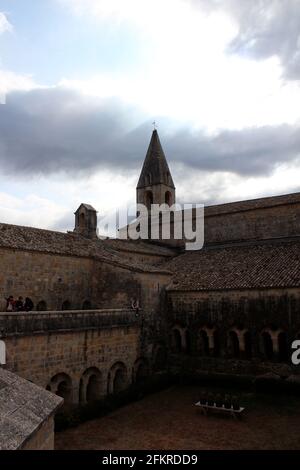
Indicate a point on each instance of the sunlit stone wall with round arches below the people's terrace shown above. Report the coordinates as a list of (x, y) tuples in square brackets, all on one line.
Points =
[(50, 348)]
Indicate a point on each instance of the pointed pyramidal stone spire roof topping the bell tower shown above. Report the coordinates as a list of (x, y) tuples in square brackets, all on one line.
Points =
[(155, 169)]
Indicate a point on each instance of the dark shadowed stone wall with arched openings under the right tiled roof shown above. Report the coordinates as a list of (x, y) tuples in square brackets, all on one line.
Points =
[(208, 326)]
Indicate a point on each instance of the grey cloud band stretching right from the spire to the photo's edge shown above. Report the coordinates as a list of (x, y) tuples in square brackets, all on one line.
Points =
[(250, 151)]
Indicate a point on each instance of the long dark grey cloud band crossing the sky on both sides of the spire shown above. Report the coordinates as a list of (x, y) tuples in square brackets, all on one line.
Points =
[(51, 130)]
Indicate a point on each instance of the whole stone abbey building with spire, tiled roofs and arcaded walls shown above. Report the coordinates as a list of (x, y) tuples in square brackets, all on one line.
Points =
[(230, 309)]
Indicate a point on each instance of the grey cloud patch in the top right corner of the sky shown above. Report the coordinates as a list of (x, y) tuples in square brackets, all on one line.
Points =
[(266, 28)]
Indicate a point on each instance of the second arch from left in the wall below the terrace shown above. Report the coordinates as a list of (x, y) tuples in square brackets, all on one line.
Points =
[(90, 387)]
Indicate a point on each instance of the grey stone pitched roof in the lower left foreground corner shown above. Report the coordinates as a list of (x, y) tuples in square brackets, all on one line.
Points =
[(24, 407)]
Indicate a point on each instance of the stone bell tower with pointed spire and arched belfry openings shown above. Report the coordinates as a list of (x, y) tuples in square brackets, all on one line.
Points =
[(155, 185)]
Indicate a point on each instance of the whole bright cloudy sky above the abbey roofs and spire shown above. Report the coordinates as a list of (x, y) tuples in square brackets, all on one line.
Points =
[(81, 82)]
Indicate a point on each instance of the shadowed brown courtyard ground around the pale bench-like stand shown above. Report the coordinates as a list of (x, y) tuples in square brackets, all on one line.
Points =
[(168, 420)]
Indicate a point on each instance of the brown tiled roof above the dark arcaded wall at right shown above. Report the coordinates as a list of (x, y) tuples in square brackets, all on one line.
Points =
[(246, 266)]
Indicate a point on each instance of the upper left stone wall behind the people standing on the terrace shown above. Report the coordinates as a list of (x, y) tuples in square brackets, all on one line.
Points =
[(56, 279)]
